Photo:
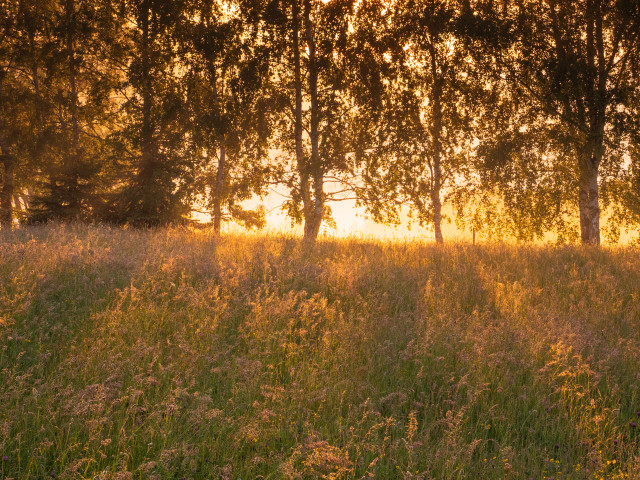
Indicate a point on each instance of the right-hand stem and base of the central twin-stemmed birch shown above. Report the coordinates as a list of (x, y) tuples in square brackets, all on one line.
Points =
[(315, 209)]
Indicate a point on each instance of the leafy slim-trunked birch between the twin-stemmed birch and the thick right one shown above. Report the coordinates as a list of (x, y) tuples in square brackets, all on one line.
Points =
[(425, 122)]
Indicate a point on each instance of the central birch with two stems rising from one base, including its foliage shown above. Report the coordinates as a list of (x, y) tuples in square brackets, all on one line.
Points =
[(307, 39)]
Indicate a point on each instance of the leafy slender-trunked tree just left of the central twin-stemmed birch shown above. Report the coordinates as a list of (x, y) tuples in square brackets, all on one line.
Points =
[(229, 116)]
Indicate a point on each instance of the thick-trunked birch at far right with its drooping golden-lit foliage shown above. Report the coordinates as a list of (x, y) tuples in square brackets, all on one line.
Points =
[(560, 76)]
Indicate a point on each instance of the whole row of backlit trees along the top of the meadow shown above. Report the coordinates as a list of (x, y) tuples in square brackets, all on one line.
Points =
[(522, 114)]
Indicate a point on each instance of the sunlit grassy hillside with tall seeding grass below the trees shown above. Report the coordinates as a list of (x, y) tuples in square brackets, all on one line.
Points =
[(167, 354)]
